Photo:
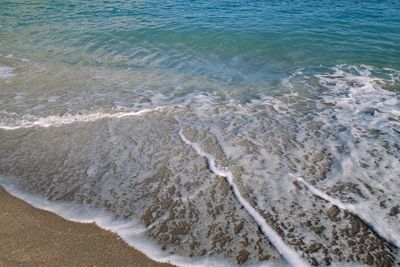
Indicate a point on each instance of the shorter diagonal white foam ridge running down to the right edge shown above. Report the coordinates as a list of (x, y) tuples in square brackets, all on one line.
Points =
[(378, 225)]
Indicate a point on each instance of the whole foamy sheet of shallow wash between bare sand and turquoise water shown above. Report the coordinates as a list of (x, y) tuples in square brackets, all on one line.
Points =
[(307, 175)]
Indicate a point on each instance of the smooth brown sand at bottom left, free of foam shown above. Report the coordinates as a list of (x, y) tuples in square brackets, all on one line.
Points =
[(33, 237)]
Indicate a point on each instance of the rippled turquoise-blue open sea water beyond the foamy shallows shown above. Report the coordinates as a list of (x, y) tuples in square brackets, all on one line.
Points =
[(222, 39)]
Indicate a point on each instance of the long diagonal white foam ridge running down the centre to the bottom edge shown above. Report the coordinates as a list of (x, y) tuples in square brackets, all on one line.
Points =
[(289, 254)]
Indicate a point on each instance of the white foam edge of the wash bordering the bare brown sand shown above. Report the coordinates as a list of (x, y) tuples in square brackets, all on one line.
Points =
[(131, 231)]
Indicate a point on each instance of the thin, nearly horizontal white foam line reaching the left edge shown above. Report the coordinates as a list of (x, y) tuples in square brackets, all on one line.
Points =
[(53, 121)]
